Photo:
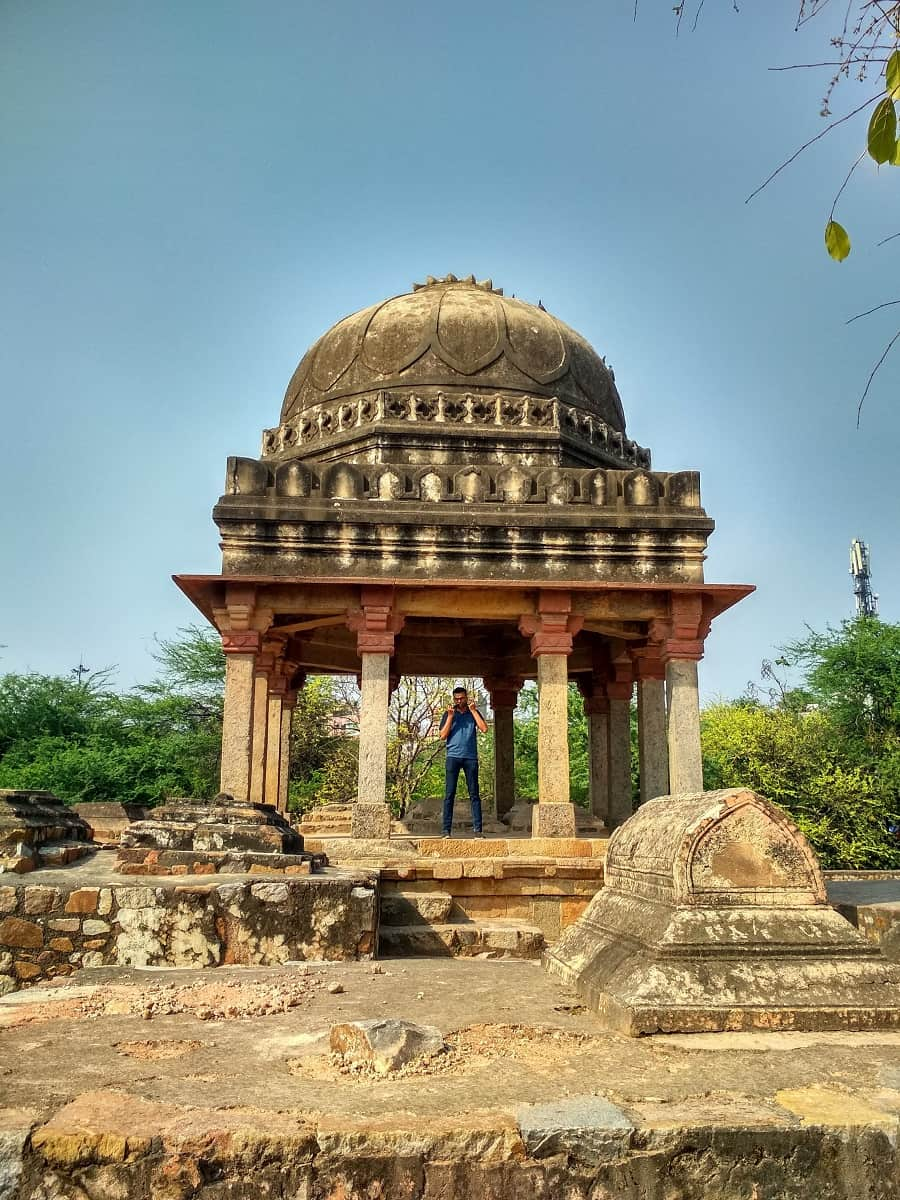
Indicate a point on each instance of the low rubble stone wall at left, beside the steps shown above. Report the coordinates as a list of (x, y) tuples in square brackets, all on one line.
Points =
[(49, 932)]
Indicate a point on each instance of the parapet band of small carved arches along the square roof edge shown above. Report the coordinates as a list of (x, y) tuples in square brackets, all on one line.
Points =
[(460, 483)]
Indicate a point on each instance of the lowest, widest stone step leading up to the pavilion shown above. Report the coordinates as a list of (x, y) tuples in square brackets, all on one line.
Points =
[(495, 939)]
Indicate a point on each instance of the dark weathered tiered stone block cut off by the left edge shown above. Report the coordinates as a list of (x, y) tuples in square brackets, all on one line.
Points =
[(38, 830)]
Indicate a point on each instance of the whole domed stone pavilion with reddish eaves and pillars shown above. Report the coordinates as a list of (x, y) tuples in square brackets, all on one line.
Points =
[(451, 490)]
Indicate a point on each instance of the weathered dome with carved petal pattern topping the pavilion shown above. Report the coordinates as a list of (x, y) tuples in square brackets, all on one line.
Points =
[(451, 335)]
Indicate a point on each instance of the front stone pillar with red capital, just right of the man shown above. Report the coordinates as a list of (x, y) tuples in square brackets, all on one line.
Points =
[(551, 633)]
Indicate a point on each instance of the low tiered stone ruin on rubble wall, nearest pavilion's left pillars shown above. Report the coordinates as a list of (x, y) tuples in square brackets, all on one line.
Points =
[(193, 837)]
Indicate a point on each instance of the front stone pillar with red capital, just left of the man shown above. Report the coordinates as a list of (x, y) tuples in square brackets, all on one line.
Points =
[(376, 626)]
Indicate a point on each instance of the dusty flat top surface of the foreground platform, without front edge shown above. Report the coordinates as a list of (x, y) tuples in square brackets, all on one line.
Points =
[(238, 1037)]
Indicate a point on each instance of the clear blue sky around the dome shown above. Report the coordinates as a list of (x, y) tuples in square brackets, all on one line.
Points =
[(194, 193)]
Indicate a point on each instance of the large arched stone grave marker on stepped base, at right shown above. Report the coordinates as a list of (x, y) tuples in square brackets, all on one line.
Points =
[(715, 917)]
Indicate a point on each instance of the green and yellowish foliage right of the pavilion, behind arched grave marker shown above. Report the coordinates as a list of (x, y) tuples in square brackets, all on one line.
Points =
[(829, 752)]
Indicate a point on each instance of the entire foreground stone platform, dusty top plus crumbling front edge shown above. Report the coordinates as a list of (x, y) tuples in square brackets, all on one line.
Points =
[(131, 1090)]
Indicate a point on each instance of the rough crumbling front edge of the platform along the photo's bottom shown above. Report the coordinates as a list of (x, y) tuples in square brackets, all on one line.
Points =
[(178, 1153)]
